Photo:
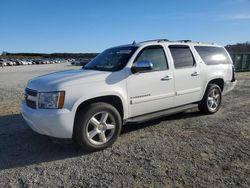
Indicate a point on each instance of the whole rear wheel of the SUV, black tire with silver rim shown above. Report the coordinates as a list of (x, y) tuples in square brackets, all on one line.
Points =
[(211, 101)]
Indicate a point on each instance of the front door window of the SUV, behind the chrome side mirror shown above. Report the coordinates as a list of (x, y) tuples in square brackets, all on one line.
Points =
[(156, 55)]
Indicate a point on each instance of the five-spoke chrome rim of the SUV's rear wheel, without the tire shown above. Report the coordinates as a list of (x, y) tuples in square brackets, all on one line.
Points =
[(214, 99)]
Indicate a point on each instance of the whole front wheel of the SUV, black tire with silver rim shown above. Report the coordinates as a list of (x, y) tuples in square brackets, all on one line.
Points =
[(97, 126)]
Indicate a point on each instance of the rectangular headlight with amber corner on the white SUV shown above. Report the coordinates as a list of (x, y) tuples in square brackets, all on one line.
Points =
[(51, 100)]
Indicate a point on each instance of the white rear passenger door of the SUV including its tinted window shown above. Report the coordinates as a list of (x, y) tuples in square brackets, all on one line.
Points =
[(186, 74)]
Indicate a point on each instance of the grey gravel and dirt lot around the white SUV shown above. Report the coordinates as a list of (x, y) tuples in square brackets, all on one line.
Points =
[(184, 150)]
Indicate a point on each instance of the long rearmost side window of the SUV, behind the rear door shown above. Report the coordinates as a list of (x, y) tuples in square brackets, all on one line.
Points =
[(213, 55)]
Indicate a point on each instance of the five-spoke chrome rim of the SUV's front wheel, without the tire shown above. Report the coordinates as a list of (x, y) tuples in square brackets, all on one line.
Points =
[(100, 128)]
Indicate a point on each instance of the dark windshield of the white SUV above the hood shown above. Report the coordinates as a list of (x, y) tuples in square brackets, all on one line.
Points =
[(113, 59)]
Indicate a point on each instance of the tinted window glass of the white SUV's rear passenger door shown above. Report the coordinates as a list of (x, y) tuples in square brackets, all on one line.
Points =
[(182, 56)]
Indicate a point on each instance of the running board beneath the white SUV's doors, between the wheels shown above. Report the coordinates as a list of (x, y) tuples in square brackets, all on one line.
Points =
[(155, 115)]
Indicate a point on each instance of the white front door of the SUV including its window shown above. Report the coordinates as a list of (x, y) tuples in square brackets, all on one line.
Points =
[(153, 90)]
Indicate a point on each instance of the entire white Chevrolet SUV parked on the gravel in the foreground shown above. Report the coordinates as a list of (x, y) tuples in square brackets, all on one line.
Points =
[(130, 83)]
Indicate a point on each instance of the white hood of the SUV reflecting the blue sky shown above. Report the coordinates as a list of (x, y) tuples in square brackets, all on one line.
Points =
[(58, 80)]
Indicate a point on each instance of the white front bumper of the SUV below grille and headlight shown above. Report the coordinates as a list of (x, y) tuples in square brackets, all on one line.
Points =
[(54, 123)]
